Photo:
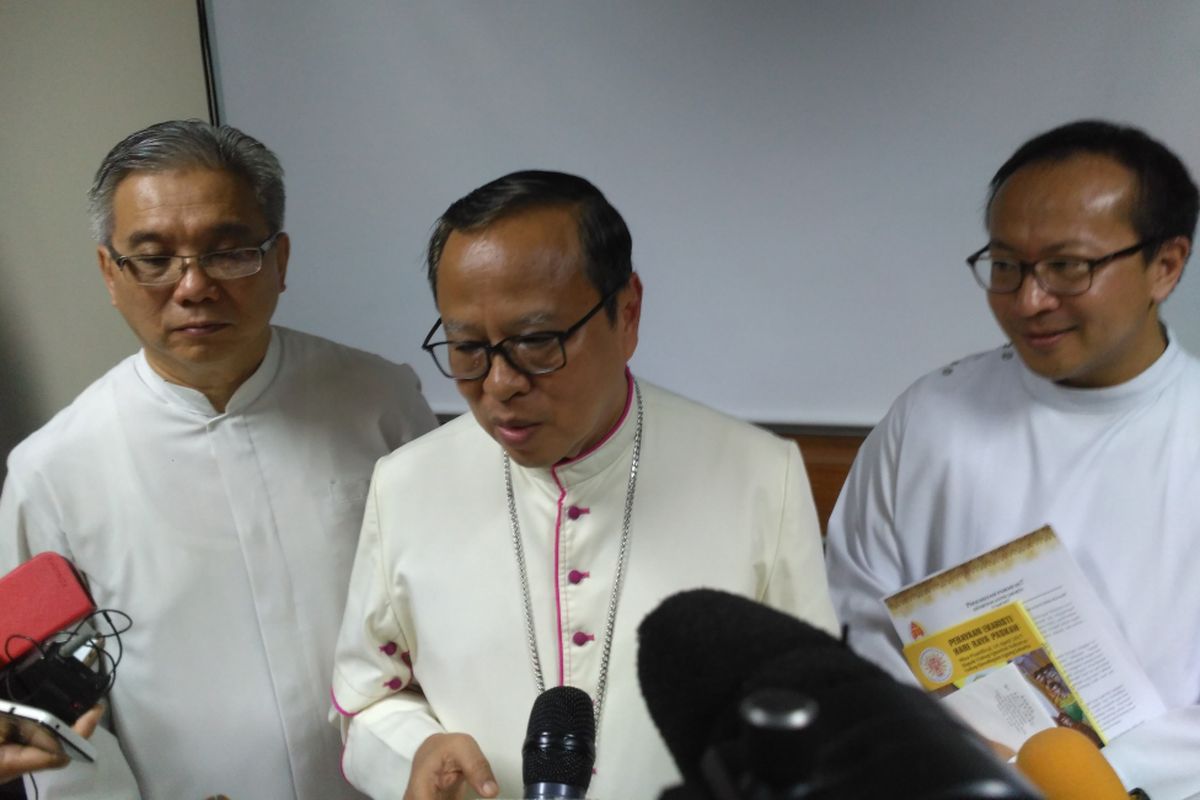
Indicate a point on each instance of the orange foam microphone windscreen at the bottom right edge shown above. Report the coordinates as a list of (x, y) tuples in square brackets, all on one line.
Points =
[(1067, 766)]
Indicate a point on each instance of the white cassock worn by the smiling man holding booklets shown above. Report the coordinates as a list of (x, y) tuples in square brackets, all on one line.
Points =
[(983, 452)]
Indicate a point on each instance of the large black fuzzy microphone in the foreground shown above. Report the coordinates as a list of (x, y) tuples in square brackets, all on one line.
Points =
[(758, 706)]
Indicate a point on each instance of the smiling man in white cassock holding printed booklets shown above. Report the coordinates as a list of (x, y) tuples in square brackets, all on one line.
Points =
[(1088, 420)]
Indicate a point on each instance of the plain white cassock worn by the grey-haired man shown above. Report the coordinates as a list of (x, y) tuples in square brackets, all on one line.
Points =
[(229, 539)]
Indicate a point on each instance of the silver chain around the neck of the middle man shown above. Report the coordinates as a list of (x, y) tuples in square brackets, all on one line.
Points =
[(619, 578)]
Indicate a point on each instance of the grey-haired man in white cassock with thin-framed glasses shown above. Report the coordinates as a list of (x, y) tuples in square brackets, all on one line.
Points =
[(212, 485)]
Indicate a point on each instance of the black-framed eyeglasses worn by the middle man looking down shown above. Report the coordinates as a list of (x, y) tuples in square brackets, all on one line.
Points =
[(531, 354)]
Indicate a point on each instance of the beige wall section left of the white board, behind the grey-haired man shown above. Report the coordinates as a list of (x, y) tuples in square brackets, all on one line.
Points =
[(76, 76)]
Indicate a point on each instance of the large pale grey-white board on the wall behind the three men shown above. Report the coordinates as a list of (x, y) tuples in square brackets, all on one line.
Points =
[(802, 179)]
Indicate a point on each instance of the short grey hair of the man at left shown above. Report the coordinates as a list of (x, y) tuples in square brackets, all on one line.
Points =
[(183, 145)]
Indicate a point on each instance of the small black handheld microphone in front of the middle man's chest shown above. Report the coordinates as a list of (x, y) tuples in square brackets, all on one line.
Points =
[(560, 747)]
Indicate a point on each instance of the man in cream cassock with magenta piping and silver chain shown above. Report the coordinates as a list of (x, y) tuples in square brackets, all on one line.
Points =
[(521, 546)]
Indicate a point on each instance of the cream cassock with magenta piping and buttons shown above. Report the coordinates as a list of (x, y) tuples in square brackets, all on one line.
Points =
[(718, 504)]
